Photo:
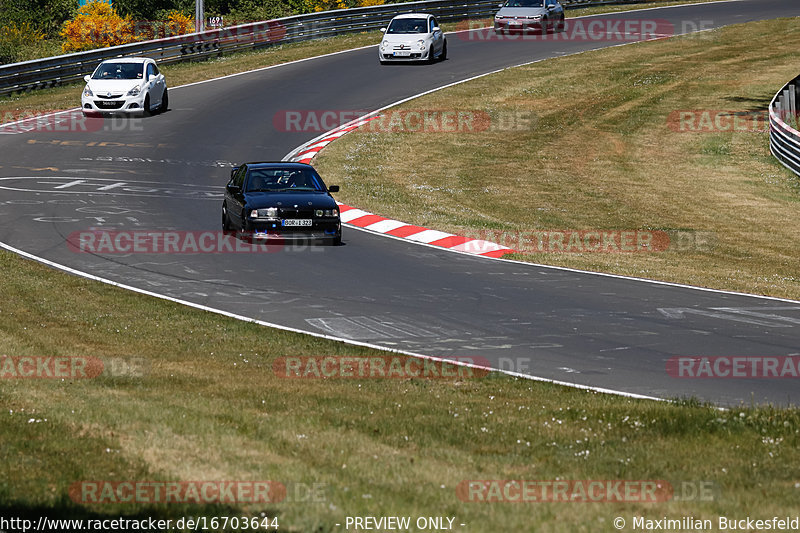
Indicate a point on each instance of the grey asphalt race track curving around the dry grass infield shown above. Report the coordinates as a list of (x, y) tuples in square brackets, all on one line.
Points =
[(167, 172)]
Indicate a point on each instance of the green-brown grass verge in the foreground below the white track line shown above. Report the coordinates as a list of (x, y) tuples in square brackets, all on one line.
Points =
[(208, 406)]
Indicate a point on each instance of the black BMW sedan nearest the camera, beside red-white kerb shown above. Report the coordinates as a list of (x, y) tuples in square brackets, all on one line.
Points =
[(280, 199)]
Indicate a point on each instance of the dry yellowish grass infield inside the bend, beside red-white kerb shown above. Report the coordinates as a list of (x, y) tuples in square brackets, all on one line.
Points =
[(608, 154)]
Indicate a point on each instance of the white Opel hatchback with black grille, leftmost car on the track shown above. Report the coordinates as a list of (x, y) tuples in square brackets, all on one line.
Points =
[(126, 85)]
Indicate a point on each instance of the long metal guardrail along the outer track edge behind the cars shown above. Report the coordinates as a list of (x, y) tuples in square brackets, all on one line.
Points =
[(52, 71)]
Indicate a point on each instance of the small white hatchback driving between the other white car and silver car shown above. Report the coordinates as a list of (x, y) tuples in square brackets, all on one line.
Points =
[(412, 37)]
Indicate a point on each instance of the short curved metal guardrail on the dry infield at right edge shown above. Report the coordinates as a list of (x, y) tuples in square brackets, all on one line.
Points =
[(784, 139)]
